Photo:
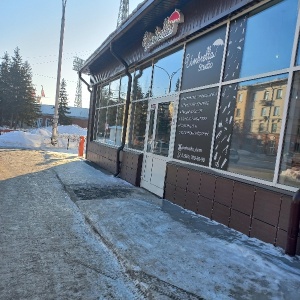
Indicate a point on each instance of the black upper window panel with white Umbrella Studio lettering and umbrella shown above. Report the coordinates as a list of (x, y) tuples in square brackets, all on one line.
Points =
[(203, 60)]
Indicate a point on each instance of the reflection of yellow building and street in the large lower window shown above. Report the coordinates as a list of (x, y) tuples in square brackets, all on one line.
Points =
[(255, 133)]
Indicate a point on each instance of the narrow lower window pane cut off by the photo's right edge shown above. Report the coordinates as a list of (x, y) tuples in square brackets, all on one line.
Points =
[(290, 164)]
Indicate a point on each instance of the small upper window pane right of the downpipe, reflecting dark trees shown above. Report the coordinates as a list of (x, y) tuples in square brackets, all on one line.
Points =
[(141, 83)]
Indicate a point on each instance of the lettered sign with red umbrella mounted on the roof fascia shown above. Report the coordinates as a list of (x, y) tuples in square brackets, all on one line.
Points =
[(169, 29)]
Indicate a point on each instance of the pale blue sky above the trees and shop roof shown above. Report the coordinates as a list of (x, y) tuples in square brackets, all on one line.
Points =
[(34, 27)]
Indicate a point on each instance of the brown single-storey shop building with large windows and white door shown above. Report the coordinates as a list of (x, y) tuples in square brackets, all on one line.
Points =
[(196, 101)]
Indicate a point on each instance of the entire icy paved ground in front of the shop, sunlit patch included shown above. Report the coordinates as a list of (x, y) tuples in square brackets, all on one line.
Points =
[(71, 231)]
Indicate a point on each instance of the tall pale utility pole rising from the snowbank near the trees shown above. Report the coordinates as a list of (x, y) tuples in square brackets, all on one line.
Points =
[(55, 117)]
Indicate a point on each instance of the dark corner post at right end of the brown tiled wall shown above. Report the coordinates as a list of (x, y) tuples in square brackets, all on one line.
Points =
[(293, 229)]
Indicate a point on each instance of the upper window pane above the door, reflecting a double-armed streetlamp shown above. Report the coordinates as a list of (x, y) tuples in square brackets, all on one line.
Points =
[(166, 74)]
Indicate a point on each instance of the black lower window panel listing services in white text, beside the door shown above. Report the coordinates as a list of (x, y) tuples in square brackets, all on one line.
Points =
[(195, 126)]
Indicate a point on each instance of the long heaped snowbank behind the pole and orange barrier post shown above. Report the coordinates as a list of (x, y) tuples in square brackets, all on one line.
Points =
[(40, 138)]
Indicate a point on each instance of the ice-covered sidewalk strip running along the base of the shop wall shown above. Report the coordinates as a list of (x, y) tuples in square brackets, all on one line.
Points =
[(159, 242)]
